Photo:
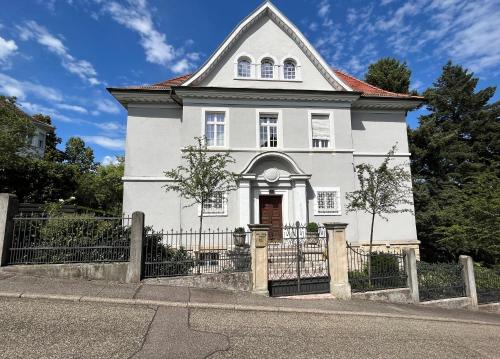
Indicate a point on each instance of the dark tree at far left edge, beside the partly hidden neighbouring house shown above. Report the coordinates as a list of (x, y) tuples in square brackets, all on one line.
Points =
[(16, 129)]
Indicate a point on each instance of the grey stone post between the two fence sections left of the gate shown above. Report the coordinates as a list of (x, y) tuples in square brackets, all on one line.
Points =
[(136, 264)]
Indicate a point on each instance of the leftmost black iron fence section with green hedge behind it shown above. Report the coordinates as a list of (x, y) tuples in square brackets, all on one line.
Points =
[(69, 239)]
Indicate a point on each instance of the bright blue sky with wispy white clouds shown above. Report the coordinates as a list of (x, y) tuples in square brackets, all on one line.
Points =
[(57, 56)]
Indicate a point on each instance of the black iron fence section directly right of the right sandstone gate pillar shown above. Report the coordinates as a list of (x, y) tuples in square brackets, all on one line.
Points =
[(381, 270)]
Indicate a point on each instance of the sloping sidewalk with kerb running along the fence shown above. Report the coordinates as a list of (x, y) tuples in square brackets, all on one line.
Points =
[(152, 294)]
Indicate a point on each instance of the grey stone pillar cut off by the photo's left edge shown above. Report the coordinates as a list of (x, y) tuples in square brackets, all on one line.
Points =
[(9, 206)]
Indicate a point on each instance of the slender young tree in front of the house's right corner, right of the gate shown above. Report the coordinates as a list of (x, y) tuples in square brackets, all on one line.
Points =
[(382, 190)]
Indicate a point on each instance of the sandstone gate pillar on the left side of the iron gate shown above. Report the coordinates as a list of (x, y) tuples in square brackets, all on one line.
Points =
[(260, 235)]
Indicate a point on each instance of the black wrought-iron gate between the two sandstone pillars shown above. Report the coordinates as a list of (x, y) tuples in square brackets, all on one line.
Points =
[(298, 262)]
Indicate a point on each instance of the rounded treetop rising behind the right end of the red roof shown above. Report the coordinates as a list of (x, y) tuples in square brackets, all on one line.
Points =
[(389, 74)]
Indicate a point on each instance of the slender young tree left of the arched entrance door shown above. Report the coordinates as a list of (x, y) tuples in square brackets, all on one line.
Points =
[(204, 176)]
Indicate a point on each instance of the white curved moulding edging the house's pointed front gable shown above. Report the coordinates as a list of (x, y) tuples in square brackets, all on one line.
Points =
[(267, 8)]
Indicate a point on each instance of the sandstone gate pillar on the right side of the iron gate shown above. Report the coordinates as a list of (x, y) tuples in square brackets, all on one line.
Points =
[(337, 260)]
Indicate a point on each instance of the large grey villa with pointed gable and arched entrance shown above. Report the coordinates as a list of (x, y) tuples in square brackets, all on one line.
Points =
[(296, 128)]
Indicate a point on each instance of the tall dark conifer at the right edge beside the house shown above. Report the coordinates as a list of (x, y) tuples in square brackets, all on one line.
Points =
[(456, 170)]
